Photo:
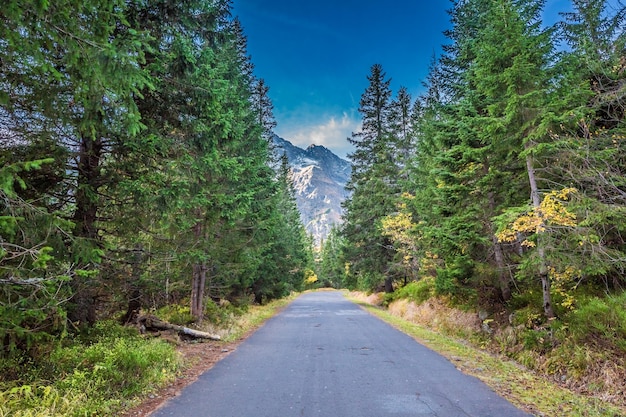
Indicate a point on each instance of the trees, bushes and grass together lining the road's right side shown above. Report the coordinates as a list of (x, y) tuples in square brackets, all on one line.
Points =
[(491, 207)]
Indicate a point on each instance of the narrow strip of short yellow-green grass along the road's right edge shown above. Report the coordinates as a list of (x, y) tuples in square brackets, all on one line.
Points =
[(522, 387)]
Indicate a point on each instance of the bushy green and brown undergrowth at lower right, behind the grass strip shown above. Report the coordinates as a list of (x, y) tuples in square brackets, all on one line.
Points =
[(584, 349)]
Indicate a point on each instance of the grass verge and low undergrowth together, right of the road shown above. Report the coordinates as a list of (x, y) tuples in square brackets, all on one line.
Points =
[(578, 371)]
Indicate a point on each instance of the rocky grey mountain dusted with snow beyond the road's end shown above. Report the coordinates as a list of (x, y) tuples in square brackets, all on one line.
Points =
[(319, 178)]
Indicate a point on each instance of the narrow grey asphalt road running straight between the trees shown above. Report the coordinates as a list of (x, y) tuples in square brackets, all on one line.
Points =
[(324, 356)]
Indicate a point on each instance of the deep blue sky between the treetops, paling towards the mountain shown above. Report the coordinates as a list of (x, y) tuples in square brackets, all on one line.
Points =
[(315, 56)]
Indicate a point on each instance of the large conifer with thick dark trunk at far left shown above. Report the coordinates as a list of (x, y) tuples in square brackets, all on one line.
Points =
[(71, 72)]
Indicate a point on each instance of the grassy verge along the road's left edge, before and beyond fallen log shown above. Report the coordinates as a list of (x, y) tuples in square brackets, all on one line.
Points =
[(106, 371)]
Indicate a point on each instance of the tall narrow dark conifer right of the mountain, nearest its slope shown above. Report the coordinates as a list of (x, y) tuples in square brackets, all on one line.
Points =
[(373, 185)]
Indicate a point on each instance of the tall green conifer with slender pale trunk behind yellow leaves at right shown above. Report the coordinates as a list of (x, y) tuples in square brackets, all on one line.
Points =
[(510, 70)]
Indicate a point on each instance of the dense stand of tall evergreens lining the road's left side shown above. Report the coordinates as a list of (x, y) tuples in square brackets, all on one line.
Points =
[(135, 167)]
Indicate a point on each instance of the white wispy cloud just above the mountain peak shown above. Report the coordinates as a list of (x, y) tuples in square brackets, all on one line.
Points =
[(332, 134)]
